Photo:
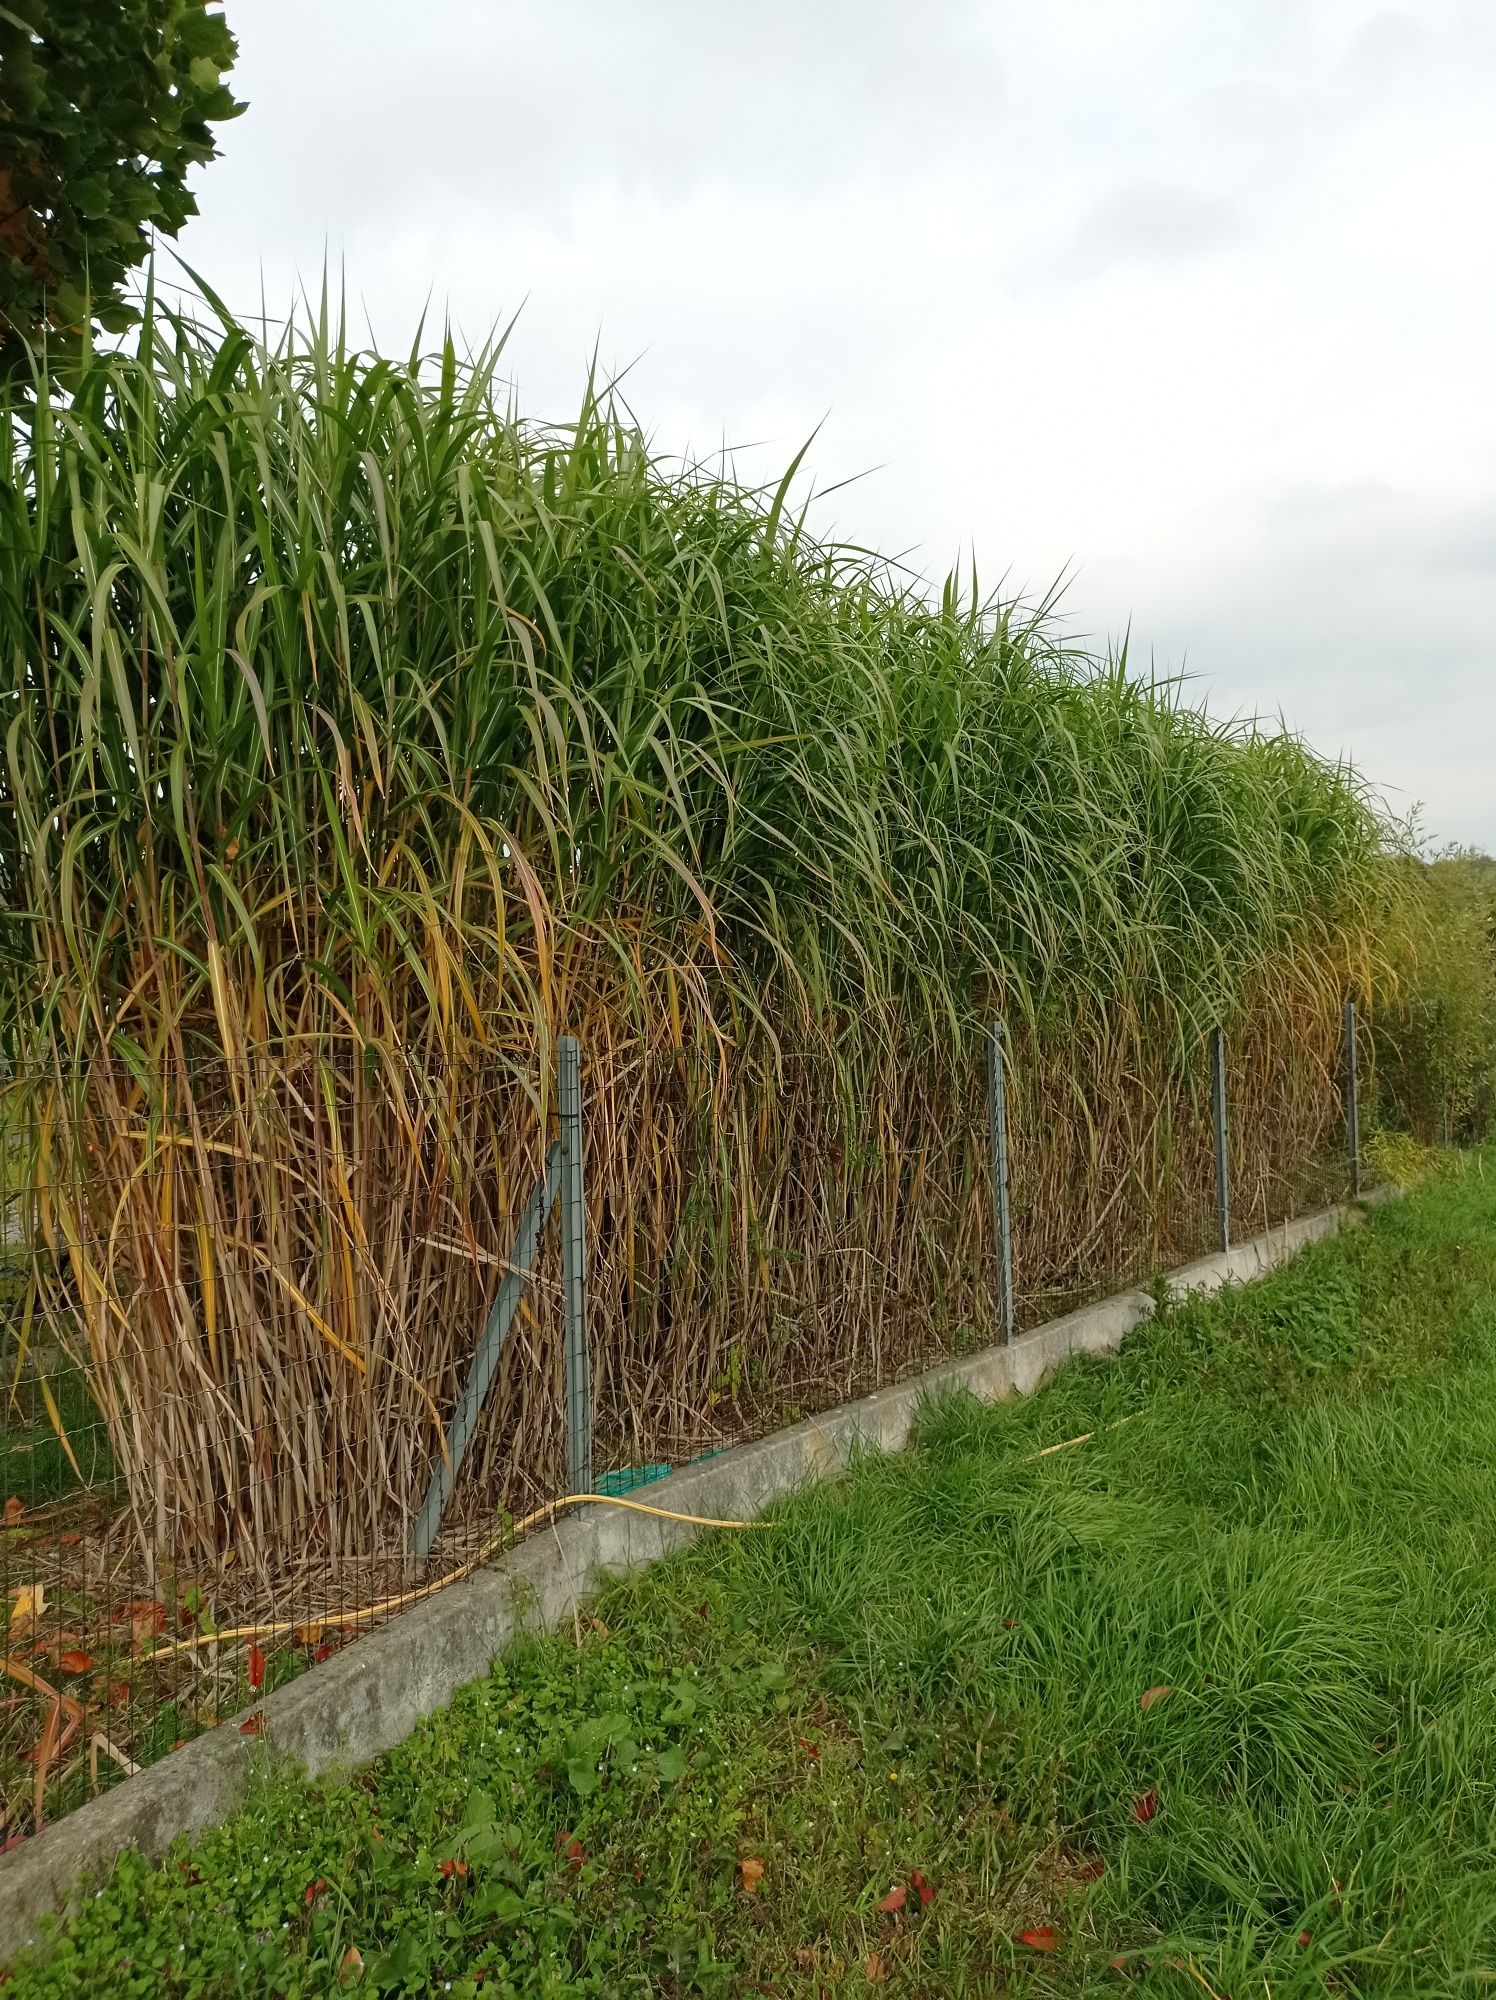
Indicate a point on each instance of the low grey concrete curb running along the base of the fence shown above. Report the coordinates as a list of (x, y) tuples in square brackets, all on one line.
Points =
[(373, 1693)]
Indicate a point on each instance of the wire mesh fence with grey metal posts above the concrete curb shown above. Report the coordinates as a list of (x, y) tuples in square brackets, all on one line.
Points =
[(239, 1331)]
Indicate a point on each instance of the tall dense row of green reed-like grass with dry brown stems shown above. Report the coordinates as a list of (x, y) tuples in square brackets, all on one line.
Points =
[(361, 737)]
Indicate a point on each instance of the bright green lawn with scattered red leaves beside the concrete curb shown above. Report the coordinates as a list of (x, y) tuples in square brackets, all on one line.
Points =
[(937, 1667)]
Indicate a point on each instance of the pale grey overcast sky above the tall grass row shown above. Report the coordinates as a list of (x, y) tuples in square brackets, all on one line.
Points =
[(1193, 301)]
